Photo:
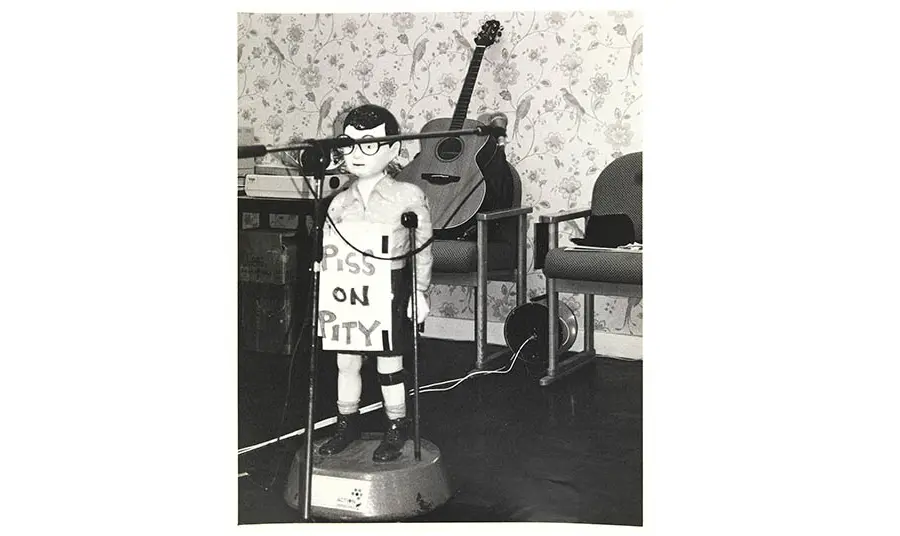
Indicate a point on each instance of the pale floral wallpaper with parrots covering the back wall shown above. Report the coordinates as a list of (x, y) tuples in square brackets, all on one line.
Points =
[(569, 82)]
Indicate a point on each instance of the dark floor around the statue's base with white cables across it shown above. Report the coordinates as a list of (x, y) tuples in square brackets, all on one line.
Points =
[(515, 451)]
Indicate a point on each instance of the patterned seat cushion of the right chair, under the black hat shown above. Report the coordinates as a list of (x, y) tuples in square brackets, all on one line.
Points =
[(603, 266)]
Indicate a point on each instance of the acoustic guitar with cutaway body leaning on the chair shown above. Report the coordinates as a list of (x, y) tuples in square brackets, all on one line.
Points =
[(450, 170)]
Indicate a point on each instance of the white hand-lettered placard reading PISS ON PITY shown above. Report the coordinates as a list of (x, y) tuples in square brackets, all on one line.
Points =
[(355, 290)]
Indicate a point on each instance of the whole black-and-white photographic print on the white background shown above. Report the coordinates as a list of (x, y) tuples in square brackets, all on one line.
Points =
[(441, 223)]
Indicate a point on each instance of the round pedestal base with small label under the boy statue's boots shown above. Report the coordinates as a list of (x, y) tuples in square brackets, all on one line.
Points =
[(351, 486)]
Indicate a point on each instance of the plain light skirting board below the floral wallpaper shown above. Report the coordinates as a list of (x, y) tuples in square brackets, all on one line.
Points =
[(608, 344)]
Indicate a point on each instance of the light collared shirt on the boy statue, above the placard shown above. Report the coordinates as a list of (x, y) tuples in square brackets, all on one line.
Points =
[(388, 201)]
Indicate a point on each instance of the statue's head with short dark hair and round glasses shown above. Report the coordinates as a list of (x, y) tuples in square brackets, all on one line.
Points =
[(370, 159)]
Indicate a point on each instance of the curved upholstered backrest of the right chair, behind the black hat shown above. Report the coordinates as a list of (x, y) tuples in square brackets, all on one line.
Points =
[(619, 190)]
